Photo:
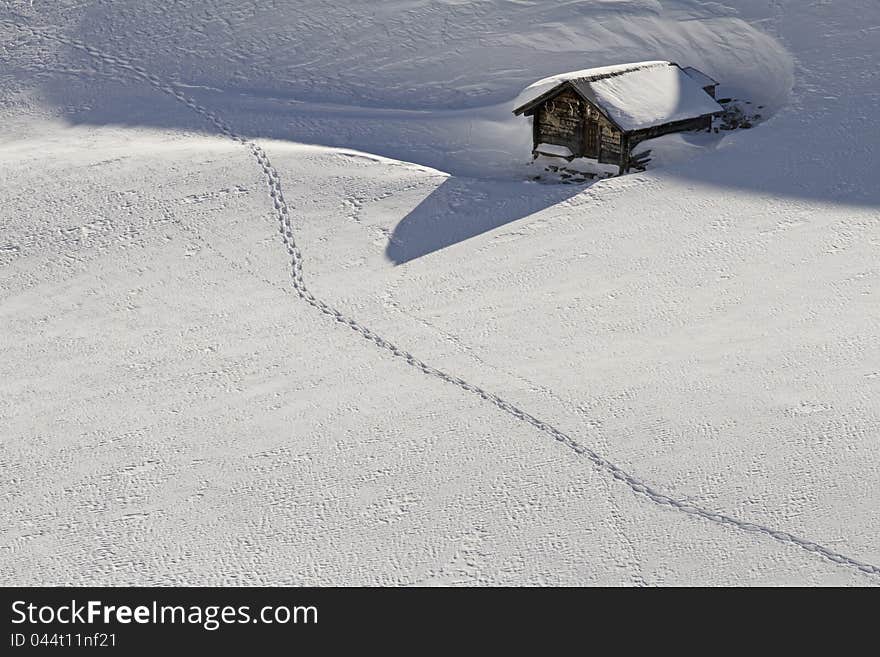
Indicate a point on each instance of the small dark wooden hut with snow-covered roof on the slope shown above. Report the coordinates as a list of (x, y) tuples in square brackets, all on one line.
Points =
[(602, 113)]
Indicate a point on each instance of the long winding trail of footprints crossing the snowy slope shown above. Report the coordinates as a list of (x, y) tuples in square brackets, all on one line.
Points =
[(282, 213)]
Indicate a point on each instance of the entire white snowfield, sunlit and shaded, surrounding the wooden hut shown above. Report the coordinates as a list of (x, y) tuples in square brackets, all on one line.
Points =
[(280, 303)]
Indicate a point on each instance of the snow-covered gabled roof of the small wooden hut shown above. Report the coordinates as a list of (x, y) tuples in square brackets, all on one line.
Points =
[(634, 96)]
